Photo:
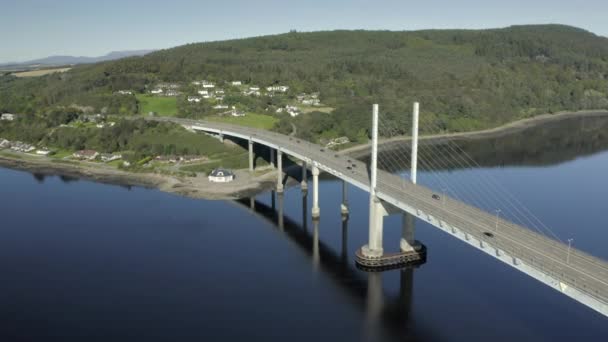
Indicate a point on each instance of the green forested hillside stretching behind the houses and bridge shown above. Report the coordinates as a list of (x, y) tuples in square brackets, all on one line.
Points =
[(464, 79)]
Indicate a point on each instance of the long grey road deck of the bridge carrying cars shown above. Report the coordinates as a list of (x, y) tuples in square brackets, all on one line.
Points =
[(583, 272)]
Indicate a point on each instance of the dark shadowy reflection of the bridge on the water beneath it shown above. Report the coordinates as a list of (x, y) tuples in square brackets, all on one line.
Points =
[(388, 316)]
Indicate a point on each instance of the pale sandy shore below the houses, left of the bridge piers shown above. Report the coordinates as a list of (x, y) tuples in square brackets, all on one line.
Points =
[(244, 185)]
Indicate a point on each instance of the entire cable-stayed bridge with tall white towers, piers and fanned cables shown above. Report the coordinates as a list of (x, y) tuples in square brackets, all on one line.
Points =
[(509, 233)]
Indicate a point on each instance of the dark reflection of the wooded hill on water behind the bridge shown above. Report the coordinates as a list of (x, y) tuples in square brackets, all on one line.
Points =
[(551, 143)]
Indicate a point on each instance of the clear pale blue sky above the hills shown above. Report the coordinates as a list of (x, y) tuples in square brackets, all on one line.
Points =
[(38, 28)]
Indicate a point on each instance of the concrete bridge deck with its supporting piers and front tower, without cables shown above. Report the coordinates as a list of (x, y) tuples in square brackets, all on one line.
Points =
[(572, 272)]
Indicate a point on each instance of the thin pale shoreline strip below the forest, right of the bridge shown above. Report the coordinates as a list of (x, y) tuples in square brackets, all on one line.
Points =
[(508, 128)]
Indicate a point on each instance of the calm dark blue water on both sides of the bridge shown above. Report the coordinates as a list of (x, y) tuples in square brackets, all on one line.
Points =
[(85, 261)]
